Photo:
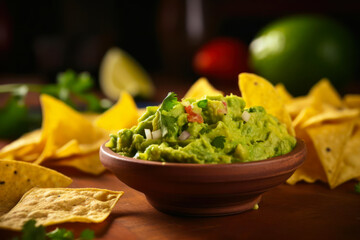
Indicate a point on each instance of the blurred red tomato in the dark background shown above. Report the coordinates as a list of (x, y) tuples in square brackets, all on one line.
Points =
[(222, 59)]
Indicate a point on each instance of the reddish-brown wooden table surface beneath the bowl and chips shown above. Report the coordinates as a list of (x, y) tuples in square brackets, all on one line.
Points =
[(304, 211)]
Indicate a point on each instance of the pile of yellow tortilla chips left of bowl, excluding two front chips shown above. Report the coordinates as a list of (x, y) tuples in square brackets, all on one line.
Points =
[(69, 138)]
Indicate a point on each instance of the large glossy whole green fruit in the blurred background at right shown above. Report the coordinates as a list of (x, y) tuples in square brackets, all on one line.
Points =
[(300, 50)]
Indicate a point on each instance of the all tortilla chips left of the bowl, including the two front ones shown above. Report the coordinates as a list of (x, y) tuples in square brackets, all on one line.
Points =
[(67, 138)]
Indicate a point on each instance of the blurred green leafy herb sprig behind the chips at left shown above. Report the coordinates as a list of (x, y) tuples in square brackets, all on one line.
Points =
[(15, 117)]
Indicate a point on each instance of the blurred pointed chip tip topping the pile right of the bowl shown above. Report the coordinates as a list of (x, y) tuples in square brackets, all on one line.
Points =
[(324, 92)]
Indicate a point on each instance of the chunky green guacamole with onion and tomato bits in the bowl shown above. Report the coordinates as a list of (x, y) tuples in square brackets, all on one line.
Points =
[(215, 129)]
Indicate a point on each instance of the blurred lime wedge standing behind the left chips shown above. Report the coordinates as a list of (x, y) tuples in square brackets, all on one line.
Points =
[(120, 72)]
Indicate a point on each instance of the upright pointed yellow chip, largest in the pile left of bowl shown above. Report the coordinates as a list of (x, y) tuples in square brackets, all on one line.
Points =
[(62, 124)]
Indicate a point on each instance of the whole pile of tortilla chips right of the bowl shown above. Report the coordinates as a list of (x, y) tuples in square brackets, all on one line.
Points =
[(330, 127)]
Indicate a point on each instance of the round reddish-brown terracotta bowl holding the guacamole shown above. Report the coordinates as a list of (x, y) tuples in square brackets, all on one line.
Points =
[(203, 189)]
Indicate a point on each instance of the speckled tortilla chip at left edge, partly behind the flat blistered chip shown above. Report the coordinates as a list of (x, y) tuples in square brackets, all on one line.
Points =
[(16, 178)]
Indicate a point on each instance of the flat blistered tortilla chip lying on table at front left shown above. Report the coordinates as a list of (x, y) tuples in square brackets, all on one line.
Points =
[(50, 206)]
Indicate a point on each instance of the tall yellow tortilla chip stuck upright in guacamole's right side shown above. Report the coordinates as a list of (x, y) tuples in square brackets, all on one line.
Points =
[(257, 91)]
